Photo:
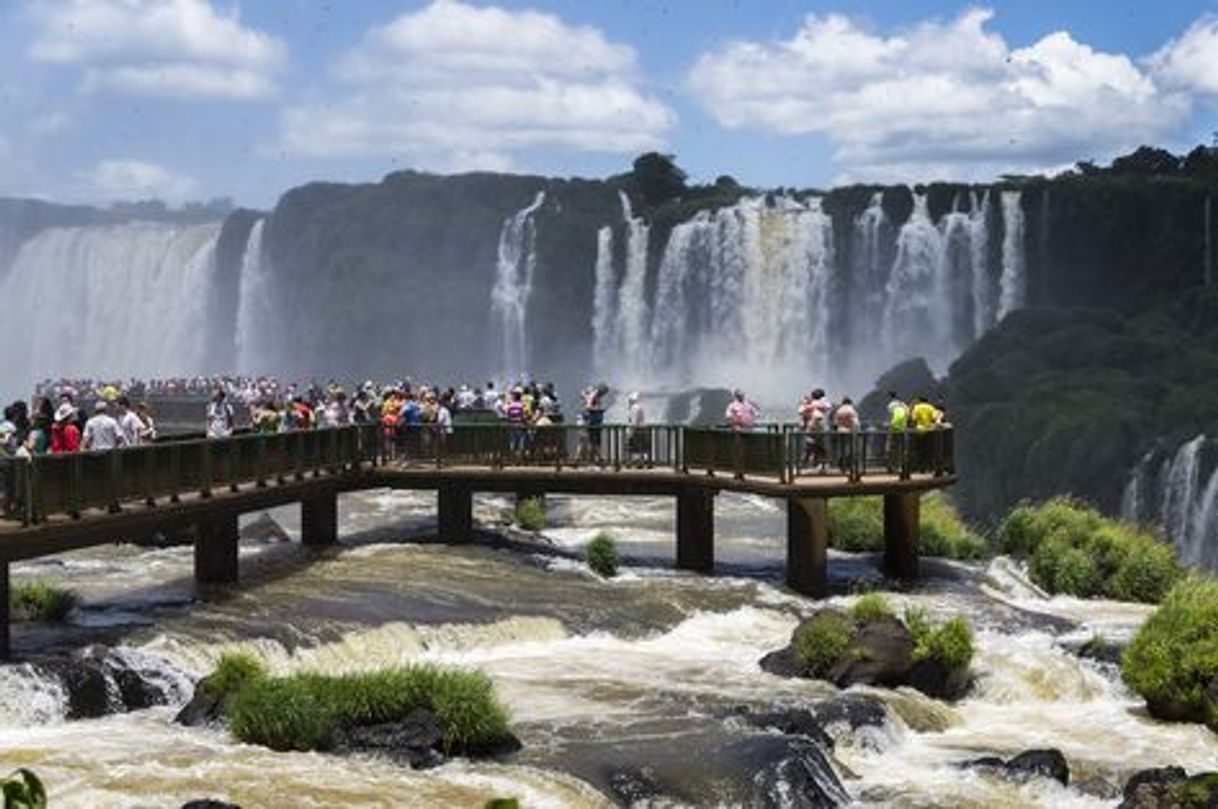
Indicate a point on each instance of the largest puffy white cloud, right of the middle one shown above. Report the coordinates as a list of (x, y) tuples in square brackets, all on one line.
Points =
[(946, 99)]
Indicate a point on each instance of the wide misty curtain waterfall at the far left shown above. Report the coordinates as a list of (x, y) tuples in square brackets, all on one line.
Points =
[(113, 300)]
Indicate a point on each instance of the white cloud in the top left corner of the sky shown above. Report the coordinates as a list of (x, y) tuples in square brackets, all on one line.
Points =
[(164, 48)]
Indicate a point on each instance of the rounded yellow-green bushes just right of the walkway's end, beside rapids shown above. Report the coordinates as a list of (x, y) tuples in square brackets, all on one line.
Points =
[(1072, 549)]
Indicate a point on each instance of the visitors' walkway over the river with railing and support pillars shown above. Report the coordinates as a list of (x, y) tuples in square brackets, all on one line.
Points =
[(65, 503)]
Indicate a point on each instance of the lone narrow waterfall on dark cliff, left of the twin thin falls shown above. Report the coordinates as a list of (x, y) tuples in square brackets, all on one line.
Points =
[(516, 265)]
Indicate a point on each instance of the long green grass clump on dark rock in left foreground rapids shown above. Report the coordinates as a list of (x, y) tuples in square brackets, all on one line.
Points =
[(301, 712)]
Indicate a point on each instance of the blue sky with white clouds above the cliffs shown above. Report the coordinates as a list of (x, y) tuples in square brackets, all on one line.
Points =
[(183, 101)]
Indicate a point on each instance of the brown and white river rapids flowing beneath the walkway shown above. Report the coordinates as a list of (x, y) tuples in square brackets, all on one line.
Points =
[(641, 671)]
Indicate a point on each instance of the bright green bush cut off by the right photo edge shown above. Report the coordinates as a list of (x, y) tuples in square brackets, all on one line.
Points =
[(1175, 655)]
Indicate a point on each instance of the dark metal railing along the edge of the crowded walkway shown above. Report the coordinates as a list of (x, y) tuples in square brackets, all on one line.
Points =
[(71, 484)]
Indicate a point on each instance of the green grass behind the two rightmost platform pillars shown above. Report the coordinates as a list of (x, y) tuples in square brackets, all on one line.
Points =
[(857, 525)]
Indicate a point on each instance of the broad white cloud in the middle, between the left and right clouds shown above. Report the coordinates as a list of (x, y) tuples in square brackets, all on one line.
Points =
[(456, 86)]
